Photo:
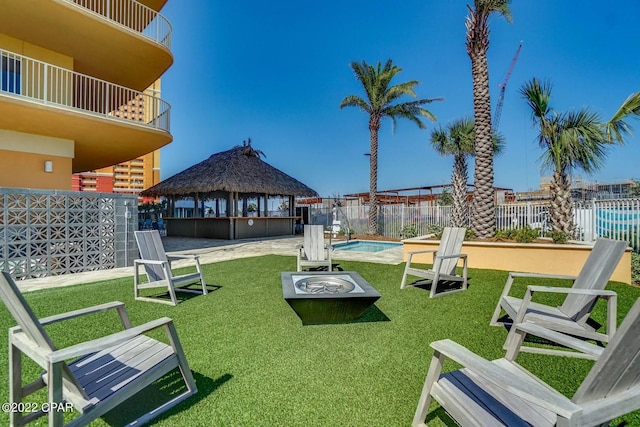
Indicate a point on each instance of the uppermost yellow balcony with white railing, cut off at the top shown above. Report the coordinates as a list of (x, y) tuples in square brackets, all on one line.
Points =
[(121, 41)]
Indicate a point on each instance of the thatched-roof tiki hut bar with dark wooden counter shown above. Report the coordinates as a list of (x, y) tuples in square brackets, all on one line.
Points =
[(243, 189)]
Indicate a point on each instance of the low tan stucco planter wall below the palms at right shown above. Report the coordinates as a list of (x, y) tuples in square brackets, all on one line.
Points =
[(531, 257)]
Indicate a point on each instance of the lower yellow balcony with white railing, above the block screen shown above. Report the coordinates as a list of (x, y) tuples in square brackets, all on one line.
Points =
[(109, 123)]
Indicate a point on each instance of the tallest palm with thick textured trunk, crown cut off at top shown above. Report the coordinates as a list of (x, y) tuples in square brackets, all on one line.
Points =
[(483, 221)]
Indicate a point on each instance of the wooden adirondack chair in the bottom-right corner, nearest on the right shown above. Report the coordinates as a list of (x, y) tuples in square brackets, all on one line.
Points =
[(502, 393)]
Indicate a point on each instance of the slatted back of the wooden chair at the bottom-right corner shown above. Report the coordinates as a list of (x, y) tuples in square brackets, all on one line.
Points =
[(618, 367)]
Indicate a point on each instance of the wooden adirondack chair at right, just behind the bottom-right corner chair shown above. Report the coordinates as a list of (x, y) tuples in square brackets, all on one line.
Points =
[(572, 316)]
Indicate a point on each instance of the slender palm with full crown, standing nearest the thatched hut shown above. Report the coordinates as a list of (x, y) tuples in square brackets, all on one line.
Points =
[(379, 103)]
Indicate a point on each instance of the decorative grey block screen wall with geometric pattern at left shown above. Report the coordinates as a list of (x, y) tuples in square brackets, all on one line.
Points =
[(46, 233)]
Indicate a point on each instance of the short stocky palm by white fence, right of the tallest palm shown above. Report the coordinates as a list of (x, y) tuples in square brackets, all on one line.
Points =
[(573, 140)]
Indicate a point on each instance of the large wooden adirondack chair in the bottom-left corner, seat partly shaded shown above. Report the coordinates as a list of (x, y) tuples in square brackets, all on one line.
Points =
[(95, 376)]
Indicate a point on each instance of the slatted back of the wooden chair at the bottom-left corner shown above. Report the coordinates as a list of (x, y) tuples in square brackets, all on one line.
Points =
[(29, 324)]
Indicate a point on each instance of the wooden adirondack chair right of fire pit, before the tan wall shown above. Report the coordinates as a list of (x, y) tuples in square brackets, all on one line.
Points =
[(445, 260)]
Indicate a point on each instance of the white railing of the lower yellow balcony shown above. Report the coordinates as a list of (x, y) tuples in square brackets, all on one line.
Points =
[(27, 78)]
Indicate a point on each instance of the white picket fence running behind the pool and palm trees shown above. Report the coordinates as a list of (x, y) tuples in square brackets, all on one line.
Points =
[(618, 219)]
